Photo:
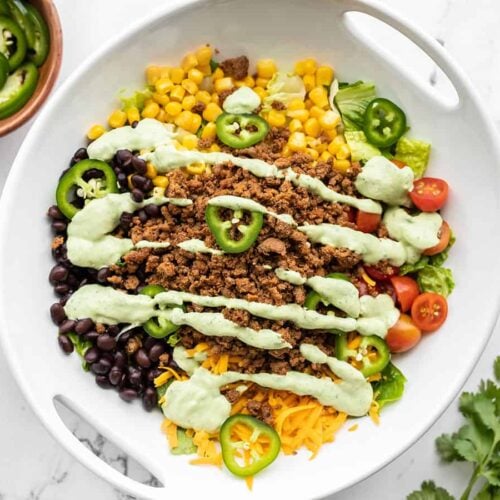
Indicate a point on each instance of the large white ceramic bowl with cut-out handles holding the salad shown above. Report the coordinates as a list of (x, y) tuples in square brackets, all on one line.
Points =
[(465, 153)]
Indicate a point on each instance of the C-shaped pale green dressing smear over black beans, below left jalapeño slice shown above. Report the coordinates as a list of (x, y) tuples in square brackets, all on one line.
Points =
[(89, 243)]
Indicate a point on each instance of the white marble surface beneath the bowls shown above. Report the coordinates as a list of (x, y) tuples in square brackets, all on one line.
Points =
[(33, 466)]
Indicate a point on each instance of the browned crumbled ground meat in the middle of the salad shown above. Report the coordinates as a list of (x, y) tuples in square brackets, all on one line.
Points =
[(248, 275)]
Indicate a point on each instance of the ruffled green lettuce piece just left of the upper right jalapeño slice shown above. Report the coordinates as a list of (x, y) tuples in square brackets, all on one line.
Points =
[(352, 101)]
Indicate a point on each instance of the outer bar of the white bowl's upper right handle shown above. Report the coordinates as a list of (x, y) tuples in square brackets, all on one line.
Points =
[(425, 42)]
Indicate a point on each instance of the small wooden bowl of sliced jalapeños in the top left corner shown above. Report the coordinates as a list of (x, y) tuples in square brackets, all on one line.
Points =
[(48, 72)]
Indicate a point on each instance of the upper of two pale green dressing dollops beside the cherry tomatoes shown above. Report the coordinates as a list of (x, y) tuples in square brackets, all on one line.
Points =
[(381, 180)]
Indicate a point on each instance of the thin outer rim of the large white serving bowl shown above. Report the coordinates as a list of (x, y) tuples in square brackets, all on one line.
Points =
[(406, 27)]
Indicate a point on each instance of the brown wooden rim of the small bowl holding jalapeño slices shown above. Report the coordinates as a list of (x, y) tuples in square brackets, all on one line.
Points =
[(19, 118)]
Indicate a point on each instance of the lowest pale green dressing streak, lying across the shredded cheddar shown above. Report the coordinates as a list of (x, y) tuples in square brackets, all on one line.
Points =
[(198, 404)]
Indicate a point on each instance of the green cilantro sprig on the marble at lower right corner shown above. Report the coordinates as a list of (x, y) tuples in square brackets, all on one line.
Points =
[(477, 442)]
